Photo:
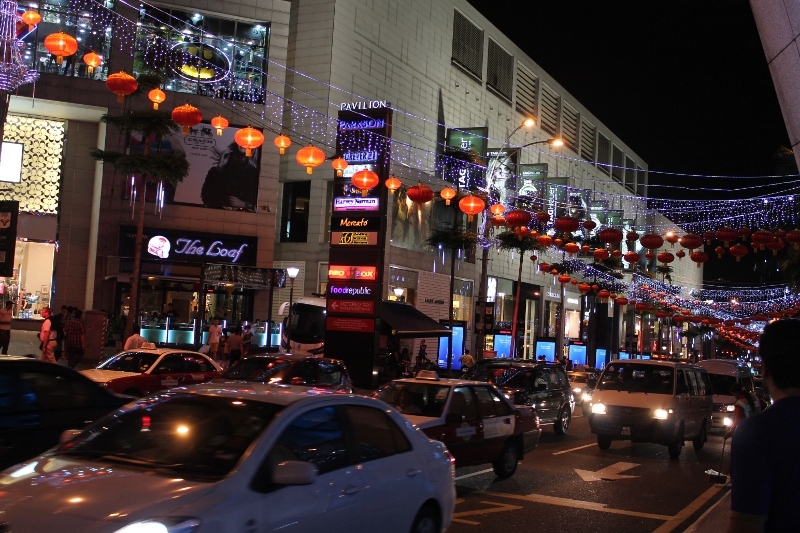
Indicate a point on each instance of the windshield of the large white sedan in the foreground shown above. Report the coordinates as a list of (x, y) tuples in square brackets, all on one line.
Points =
[(179, 435)]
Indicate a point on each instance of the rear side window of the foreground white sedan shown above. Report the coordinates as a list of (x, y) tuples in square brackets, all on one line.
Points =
[(375, 435)]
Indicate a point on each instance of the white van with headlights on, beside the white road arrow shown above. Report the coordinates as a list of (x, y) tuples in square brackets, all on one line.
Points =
[(662, 402)]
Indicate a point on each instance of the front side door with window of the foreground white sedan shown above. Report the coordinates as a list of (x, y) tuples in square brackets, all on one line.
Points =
[(316, 436)]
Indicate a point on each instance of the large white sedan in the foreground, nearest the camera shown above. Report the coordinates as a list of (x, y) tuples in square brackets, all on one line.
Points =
[(245, 457)]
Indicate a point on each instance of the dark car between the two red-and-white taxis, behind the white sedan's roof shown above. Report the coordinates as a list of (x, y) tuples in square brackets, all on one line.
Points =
[(322, 373)]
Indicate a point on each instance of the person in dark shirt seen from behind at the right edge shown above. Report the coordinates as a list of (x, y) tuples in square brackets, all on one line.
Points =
[(765, 465)]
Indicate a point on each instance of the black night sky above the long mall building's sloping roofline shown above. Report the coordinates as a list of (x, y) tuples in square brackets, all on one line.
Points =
[(685, 84)]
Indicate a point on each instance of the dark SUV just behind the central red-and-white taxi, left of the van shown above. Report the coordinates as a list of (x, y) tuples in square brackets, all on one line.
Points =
[(544, 386)]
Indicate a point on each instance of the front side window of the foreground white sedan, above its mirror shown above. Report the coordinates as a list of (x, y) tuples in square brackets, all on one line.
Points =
[(315, 437)]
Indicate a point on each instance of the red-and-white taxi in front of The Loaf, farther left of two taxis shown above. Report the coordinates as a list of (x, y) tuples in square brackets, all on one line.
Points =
[(150, 369)]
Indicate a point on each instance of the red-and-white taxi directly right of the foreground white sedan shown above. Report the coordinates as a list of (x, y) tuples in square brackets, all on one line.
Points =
[(474, 420)]
